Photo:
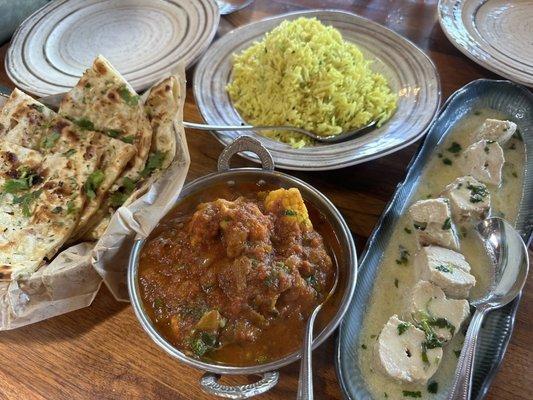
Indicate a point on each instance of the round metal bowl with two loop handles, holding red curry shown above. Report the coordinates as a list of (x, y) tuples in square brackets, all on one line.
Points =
[(345, 256)]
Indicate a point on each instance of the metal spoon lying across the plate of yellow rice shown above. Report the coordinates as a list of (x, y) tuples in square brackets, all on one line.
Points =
[(323, 139)]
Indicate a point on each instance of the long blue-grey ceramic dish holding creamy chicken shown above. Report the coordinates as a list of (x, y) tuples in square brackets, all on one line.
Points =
[(516, 103)]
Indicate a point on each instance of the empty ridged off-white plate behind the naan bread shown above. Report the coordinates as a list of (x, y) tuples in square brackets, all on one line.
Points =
[(143, 39)]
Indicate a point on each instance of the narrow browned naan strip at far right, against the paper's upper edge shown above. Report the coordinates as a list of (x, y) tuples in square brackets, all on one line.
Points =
[(161, 107)]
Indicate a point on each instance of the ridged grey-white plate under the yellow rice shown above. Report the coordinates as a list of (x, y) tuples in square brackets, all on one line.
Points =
[(409, 71)]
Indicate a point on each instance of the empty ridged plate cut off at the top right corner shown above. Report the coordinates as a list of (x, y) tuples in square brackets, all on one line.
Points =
[(496, 34)]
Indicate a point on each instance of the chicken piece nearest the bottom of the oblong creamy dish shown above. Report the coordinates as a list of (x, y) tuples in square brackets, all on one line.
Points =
[(402, 355)]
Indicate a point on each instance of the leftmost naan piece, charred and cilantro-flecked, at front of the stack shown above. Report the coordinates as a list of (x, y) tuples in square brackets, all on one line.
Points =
[(40, 204)]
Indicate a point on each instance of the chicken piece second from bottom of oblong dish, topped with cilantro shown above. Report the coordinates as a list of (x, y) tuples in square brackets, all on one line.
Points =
[(445, 316)]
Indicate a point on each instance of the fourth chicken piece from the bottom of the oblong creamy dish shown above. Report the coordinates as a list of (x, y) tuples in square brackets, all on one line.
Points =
[(433, 223)]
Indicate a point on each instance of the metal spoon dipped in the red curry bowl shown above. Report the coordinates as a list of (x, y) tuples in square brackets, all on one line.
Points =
[(305, 381)]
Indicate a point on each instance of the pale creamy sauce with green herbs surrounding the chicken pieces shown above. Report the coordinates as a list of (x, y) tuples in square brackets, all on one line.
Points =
[(394, 282)]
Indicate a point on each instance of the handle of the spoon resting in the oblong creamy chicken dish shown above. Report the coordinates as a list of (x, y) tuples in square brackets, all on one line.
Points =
[(462, 383)]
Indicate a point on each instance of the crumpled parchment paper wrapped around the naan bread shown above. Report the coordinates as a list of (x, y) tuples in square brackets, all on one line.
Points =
[(73, 278)]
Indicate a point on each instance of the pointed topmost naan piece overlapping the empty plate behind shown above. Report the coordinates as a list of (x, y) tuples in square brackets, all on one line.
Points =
[(102, 100)]
